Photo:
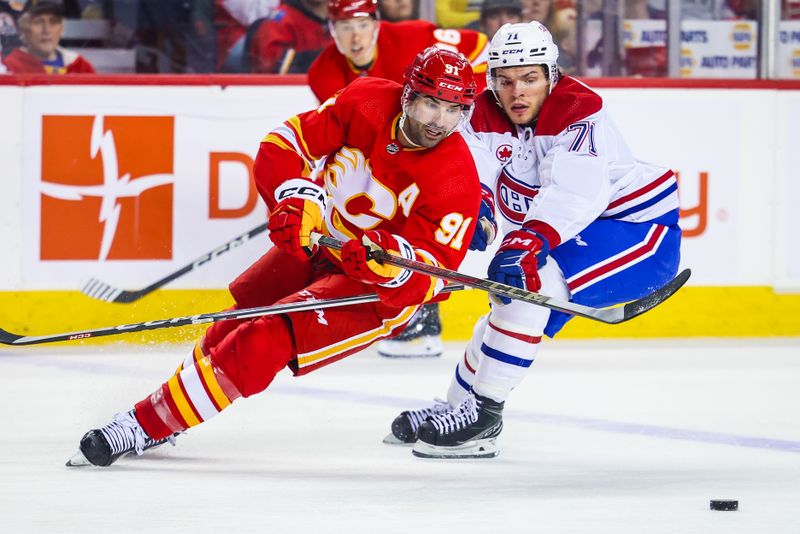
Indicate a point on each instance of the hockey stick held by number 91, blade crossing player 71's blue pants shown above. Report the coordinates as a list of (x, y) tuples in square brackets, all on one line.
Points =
[(614, 315)]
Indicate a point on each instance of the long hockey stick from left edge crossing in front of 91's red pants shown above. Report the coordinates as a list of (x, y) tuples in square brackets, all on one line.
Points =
[(7, 338)]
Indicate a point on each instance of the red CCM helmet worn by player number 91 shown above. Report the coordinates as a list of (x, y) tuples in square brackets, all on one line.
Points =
[(442, 74)]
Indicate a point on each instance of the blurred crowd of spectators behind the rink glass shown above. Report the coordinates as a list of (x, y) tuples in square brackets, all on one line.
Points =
[(282, 36)]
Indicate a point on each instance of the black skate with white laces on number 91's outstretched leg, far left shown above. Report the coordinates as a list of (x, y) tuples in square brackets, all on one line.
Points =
[(104, 446)]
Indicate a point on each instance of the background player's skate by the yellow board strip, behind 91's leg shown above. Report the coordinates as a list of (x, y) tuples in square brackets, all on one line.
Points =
[(421, 337)]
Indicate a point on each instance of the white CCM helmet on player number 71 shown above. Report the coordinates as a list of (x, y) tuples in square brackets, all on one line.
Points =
[(524, 43)]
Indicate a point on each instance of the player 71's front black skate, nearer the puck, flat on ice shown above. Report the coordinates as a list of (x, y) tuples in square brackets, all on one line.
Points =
[(468, 431)]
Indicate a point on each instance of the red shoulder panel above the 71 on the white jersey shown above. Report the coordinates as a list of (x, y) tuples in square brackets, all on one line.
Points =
[(570, 102)]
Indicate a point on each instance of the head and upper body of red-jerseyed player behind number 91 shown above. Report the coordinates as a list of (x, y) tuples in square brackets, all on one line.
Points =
[(365, 46)]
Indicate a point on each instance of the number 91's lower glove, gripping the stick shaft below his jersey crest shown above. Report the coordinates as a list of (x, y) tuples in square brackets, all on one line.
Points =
[(358, 263)]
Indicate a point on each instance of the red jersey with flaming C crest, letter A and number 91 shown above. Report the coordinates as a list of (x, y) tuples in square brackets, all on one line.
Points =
[(428, 196)]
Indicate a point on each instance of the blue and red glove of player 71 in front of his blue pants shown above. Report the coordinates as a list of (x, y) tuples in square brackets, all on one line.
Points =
[(522, 253)]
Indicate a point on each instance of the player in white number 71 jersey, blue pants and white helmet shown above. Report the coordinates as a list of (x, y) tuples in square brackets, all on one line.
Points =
[(584, 221)]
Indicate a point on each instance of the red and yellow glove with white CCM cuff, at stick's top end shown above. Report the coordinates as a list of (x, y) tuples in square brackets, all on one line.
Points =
[(300, 211)]
